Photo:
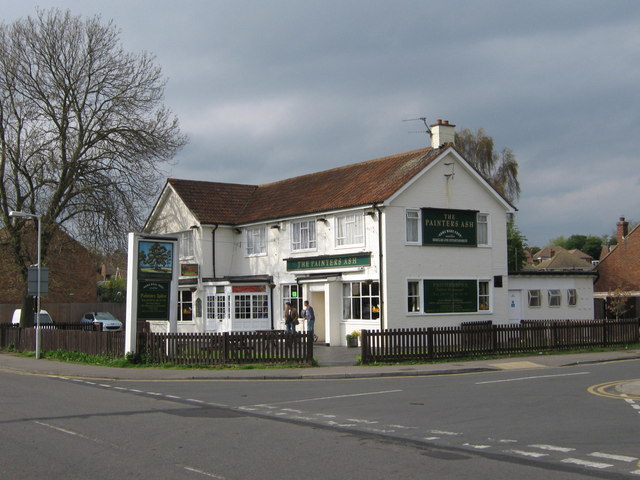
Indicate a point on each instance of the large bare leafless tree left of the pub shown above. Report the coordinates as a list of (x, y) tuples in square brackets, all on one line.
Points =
[(83, 130)]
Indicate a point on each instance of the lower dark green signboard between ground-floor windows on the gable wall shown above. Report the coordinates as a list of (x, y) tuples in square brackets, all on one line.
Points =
[(450, 296)]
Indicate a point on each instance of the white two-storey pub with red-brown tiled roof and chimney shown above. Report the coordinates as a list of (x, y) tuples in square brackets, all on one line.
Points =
[(415, 239)]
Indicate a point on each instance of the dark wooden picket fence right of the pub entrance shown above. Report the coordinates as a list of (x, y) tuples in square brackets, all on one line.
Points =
[(483, 338)]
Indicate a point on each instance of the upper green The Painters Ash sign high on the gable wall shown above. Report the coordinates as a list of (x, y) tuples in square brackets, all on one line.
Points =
[(454, 228)]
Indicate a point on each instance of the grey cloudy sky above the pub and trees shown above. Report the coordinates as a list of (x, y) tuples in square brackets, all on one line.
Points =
[(267, 89)]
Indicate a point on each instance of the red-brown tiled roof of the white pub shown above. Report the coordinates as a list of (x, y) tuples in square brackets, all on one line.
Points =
[(358, 184)]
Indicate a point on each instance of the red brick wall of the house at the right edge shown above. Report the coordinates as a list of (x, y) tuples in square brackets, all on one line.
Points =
[(621, 268)]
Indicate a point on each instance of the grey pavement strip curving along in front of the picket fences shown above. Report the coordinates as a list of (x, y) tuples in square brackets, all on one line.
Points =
[(333, 363)]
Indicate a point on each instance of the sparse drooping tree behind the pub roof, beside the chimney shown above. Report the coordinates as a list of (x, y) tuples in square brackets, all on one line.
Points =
[(499, 169)]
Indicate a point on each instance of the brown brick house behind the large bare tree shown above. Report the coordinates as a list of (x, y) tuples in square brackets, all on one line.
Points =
[(72, 270)]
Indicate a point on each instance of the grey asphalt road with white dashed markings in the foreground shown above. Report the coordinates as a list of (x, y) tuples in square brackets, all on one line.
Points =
[(523, 424)]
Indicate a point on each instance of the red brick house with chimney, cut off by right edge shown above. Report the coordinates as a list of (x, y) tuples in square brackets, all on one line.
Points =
[(617, 291)]
